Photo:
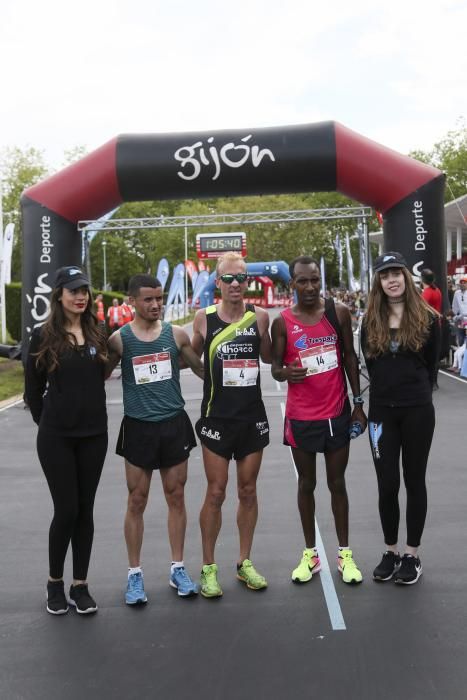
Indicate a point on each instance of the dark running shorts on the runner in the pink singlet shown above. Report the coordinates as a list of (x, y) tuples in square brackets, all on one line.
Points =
[(318, 435)]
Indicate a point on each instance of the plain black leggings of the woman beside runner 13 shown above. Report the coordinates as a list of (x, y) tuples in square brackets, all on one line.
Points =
[(72, 467)]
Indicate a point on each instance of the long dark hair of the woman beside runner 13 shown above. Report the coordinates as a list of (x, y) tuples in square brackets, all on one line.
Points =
[(56, 340)]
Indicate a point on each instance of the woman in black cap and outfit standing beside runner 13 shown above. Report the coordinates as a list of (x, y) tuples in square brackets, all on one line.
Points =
[(65, 391)]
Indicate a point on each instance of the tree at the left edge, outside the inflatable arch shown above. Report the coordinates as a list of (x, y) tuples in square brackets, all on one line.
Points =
[(20, 169)]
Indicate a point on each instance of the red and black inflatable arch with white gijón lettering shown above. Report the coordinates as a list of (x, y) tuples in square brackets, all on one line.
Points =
[(313, 157)]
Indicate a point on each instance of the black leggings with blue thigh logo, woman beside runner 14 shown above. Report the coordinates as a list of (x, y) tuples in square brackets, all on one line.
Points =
[(391, 430)]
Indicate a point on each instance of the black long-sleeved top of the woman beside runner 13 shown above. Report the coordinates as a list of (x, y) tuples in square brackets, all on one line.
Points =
[(69, 401)]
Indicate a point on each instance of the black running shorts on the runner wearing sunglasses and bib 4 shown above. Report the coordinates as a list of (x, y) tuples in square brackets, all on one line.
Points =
[(233, 439)]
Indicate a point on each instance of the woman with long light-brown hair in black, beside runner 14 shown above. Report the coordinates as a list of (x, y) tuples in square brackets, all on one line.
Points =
[(400, 342)]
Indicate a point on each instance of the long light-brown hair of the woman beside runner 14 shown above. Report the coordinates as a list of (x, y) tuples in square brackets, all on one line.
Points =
[(415, 322)]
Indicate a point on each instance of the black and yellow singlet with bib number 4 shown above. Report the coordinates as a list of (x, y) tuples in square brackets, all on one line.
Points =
[(231, 361)]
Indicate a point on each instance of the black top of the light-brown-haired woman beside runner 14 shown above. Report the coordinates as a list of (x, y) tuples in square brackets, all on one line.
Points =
[(400, 377)]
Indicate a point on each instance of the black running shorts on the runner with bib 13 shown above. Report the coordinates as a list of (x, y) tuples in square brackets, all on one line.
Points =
[(156, 445)]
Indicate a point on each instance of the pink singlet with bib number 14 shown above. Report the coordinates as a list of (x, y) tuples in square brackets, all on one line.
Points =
[(323, 392)]
